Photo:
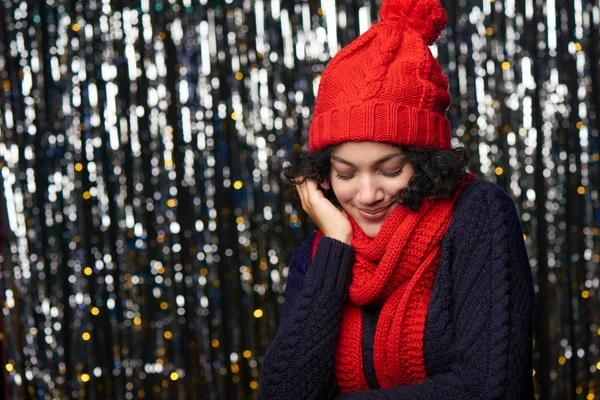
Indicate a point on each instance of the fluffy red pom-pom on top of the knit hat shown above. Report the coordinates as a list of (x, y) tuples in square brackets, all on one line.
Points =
[(427, 17)]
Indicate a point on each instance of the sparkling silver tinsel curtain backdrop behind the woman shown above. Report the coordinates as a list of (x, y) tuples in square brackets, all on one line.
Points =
[(145, 223)]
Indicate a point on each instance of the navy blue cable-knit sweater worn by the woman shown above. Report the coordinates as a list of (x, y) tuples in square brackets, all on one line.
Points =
[(478, 331)]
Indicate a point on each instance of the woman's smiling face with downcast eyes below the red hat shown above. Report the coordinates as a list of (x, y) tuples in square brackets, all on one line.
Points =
[(365, 177)]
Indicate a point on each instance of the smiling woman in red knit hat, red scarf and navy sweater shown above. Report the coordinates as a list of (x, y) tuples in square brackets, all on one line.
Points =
[(417, 284)]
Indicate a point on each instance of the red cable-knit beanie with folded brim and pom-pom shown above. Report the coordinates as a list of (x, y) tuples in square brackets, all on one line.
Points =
[(386, 86)]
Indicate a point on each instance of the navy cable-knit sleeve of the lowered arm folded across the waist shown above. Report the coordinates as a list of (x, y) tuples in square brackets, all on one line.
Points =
[(491, 311)]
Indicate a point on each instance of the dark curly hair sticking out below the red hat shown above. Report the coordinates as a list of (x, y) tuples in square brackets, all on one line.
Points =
[(438, 173)]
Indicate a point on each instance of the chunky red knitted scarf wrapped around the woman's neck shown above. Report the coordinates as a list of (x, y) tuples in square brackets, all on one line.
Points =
[(396, 269)]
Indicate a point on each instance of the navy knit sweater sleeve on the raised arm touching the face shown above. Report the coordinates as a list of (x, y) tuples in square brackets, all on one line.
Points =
[(299, 363)]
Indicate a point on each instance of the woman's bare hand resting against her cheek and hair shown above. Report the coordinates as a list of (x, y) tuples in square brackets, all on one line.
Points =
[(331, 221)]
